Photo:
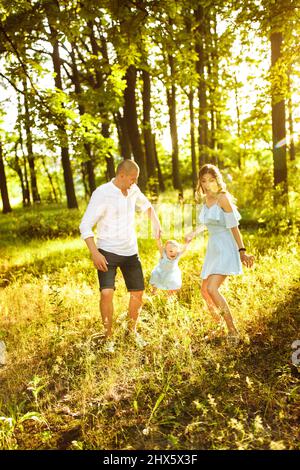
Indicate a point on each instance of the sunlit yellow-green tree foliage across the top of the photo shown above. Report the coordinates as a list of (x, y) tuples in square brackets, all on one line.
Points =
[(104, 38)]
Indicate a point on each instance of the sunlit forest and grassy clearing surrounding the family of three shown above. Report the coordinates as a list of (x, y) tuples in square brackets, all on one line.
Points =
[(173, 84)]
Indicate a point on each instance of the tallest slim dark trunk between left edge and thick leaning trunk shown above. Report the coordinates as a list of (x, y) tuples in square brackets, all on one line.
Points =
[(30, 155)]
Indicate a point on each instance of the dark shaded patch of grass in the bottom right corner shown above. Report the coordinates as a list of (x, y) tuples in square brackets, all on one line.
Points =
[(242, 383)]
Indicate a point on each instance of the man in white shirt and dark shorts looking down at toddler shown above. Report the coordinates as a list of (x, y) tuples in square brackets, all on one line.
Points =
[(112, 207)]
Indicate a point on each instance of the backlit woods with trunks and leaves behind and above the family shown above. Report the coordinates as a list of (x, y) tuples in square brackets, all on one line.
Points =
[(85, 84)]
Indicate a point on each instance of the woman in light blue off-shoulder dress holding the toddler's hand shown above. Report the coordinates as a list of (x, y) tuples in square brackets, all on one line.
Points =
[(225, 251)]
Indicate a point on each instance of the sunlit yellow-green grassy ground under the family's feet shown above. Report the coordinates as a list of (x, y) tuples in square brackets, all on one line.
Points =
[(60, 390)]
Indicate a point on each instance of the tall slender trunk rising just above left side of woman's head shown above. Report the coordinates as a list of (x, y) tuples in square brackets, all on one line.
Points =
[(200, 67)]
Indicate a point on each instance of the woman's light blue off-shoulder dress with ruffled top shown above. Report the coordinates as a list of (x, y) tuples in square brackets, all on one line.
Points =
[(222, 255)]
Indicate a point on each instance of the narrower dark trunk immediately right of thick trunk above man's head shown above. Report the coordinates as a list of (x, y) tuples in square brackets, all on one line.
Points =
[(148, 139)]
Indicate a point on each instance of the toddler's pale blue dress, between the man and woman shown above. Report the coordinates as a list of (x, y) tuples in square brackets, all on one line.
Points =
[(166, 275)]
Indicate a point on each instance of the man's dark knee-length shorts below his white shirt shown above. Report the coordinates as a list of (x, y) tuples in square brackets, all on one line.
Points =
[(131, 269)]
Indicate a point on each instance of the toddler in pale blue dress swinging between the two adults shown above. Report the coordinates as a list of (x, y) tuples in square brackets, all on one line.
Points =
[(167, 275)]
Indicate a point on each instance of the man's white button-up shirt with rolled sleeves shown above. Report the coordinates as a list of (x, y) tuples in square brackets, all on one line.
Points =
[(114, 215)]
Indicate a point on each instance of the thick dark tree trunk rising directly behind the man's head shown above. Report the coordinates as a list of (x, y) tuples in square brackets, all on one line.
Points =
[(131, 119)]
